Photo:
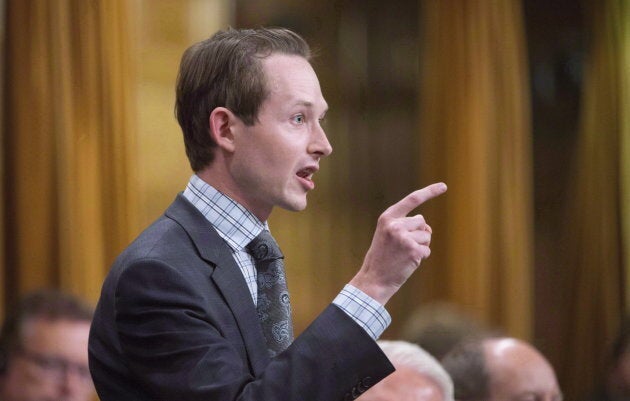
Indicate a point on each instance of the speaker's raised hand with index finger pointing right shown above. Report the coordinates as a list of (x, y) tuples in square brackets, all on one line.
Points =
[(399, 245)]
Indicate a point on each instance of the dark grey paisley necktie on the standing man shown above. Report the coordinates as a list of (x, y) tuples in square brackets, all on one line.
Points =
[(273, 306)]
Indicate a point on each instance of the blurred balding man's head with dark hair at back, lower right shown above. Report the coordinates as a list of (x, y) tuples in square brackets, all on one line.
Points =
[(500, 369)]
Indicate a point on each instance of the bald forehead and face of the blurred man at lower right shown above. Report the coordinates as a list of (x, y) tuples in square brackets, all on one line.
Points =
[(519, 373)]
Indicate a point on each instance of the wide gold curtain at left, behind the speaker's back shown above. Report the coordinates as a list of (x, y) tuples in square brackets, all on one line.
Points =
[(68, 203)]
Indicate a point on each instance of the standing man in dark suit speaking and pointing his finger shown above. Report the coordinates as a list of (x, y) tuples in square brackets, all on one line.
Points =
[(196, 308)]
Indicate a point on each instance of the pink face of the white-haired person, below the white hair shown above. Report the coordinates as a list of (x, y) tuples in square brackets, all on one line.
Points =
[(404, 384)]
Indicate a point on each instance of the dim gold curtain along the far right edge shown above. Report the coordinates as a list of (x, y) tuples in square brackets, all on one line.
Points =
[(593, 264)]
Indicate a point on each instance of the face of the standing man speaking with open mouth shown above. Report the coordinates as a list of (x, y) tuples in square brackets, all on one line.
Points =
[(274, 160)]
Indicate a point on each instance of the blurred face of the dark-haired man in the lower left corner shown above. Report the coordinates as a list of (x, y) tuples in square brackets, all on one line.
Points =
[(52, 365)]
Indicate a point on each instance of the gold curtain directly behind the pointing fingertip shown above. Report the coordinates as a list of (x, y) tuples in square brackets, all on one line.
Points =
[(475, 136)]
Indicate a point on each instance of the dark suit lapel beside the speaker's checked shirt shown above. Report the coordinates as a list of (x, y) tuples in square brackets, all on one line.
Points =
[(227, 276)]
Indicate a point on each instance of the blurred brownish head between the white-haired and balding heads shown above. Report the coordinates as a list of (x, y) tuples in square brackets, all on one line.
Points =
[(437, 327)]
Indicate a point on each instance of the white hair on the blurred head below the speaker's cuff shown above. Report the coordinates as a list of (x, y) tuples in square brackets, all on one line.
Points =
[(402, 353)]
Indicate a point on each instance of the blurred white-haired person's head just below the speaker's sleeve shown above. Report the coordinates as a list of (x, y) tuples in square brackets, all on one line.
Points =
[(418, 376)]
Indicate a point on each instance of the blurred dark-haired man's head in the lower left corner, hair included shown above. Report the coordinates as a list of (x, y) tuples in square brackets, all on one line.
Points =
[(43, 350)]
